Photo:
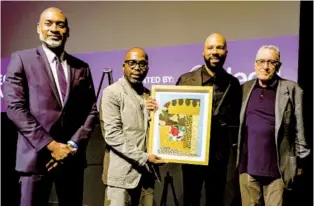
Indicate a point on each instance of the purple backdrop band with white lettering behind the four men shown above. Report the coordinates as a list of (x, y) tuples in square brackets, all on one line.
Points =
[(168, 63)]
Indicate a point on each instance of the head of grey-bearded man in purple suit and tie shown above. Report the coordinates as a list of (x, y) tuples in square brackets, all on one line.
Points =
[(53, 29)]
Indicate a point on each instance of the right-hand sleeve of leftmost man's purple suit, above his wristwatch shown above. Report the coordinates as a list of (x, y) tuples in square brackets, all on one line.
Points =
[(84, 132)]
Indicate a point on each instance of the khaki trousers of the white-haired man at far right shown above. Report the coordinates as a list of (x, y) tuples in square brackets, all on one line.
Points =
[(254, 188)]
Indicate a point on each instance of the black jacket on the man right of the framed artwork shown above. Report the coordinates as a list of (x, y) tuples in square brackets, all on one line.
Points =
[(225, 117)]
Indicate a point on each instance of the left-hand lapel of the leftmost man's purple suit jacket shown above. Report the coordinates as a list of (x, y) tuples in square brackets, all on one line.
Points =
[(47, 71)]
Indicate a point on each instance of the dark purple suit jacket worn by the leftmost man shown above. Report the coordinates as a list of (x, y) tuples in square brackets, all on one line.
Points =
[(34, 106)]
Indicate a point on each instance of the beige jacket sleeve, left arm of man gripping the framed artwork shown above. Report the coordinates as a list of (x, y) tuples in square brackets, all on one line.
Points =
[(111, 124)]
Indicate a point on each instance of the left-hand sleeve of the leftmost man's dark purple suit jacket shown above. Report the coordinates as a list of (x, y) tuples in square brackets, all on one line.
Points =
[(16, 98)]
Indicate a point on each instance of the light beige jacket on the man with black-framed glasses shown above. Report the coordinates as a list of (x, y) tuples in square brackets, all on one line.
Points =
[(125, 124)]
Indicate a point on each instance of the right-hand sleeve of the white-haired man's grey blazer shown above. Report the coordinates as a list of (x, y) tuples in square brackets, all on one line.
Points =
[(301, 147)]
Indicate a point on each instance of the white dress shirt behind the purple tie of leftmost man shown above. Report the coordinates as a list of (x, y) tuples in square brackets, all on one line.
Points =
[(53, 65)]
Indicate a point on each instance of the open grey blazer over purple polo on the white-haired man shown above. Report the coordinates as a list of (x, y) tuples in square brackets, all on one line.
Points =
[(289, 129)]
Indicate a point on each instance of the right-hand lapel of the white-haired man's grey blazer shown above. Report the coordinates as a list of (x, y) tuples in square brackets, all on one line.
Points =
[(282, 97)]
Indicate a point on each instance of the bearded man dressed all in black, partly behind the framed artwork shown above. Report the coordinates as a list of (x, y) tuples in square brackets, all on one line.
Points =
[(224, 125)]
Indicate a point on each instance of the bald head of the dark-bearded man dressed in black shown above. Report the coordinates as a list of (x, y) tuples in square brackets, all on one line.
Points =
[(215, 51)]
